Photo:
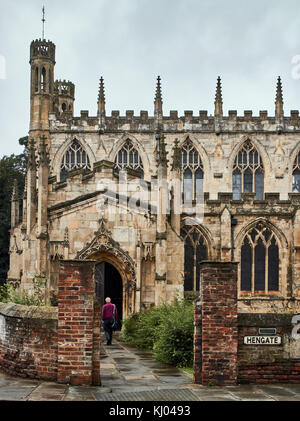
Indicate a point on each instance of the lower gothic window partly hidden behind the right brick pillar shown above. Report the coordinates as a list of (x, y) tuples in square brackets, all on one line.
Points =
[(195, 250)]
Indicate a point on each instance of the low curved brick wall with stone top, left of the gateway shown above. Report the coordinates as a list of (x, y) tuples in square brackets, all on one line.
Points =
[(28, 341)]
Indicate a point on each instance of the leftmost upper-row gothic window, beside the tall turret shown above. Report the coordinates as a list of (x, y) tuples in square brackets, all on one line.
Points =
[(74, 158)]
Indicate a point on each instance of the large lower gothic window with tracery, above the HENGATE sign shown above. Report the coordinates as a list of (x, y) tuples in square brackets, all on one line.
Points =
[(260, 261)]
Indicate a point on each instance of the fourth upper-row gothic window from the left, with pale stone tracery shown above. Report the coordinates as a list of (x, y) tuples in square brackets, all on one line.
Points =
[(248, 173)]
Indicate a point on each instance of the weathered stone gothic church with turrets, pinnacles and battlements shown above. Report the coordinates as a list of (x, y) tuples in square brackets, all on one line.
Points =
[(123, 191)]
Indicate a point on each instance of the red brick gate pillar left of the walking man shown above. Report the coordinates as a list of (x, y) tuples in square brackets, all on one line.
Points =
[(78, 324)]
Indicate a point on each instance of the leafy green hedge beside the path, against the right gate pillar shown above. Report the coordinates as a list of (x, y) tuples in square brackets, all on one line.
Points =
[(166, 330)]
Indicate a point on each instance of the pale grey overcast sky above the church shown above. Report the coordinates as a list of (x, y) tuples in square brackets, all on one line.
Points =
[(189, 43)]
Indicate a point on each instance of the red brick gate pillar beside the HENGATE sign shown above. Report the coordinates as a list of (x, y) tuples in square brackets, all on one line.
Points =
[(216, 328)]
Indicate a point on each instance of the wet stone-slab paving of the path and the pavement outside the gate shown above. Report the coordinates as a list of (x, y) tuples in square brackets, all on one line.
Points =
[(128, 374)]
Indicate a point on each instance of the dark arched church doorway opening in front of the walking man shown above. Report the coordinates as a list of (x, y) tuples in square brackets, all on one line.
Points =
[(109, 284)]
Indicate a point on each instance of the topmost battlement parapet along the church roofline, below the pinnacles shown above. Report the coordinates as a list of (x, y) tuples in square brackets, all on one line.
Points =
[(189, 122)]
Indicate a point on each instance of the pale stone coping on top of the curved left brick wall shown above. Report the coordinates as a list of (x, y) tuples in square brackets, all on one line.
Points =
[(28, 312)]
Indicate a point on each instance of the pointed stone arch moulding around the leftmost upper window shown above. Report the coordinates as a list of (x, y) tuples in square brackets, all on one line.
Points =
[(59, 154)]
